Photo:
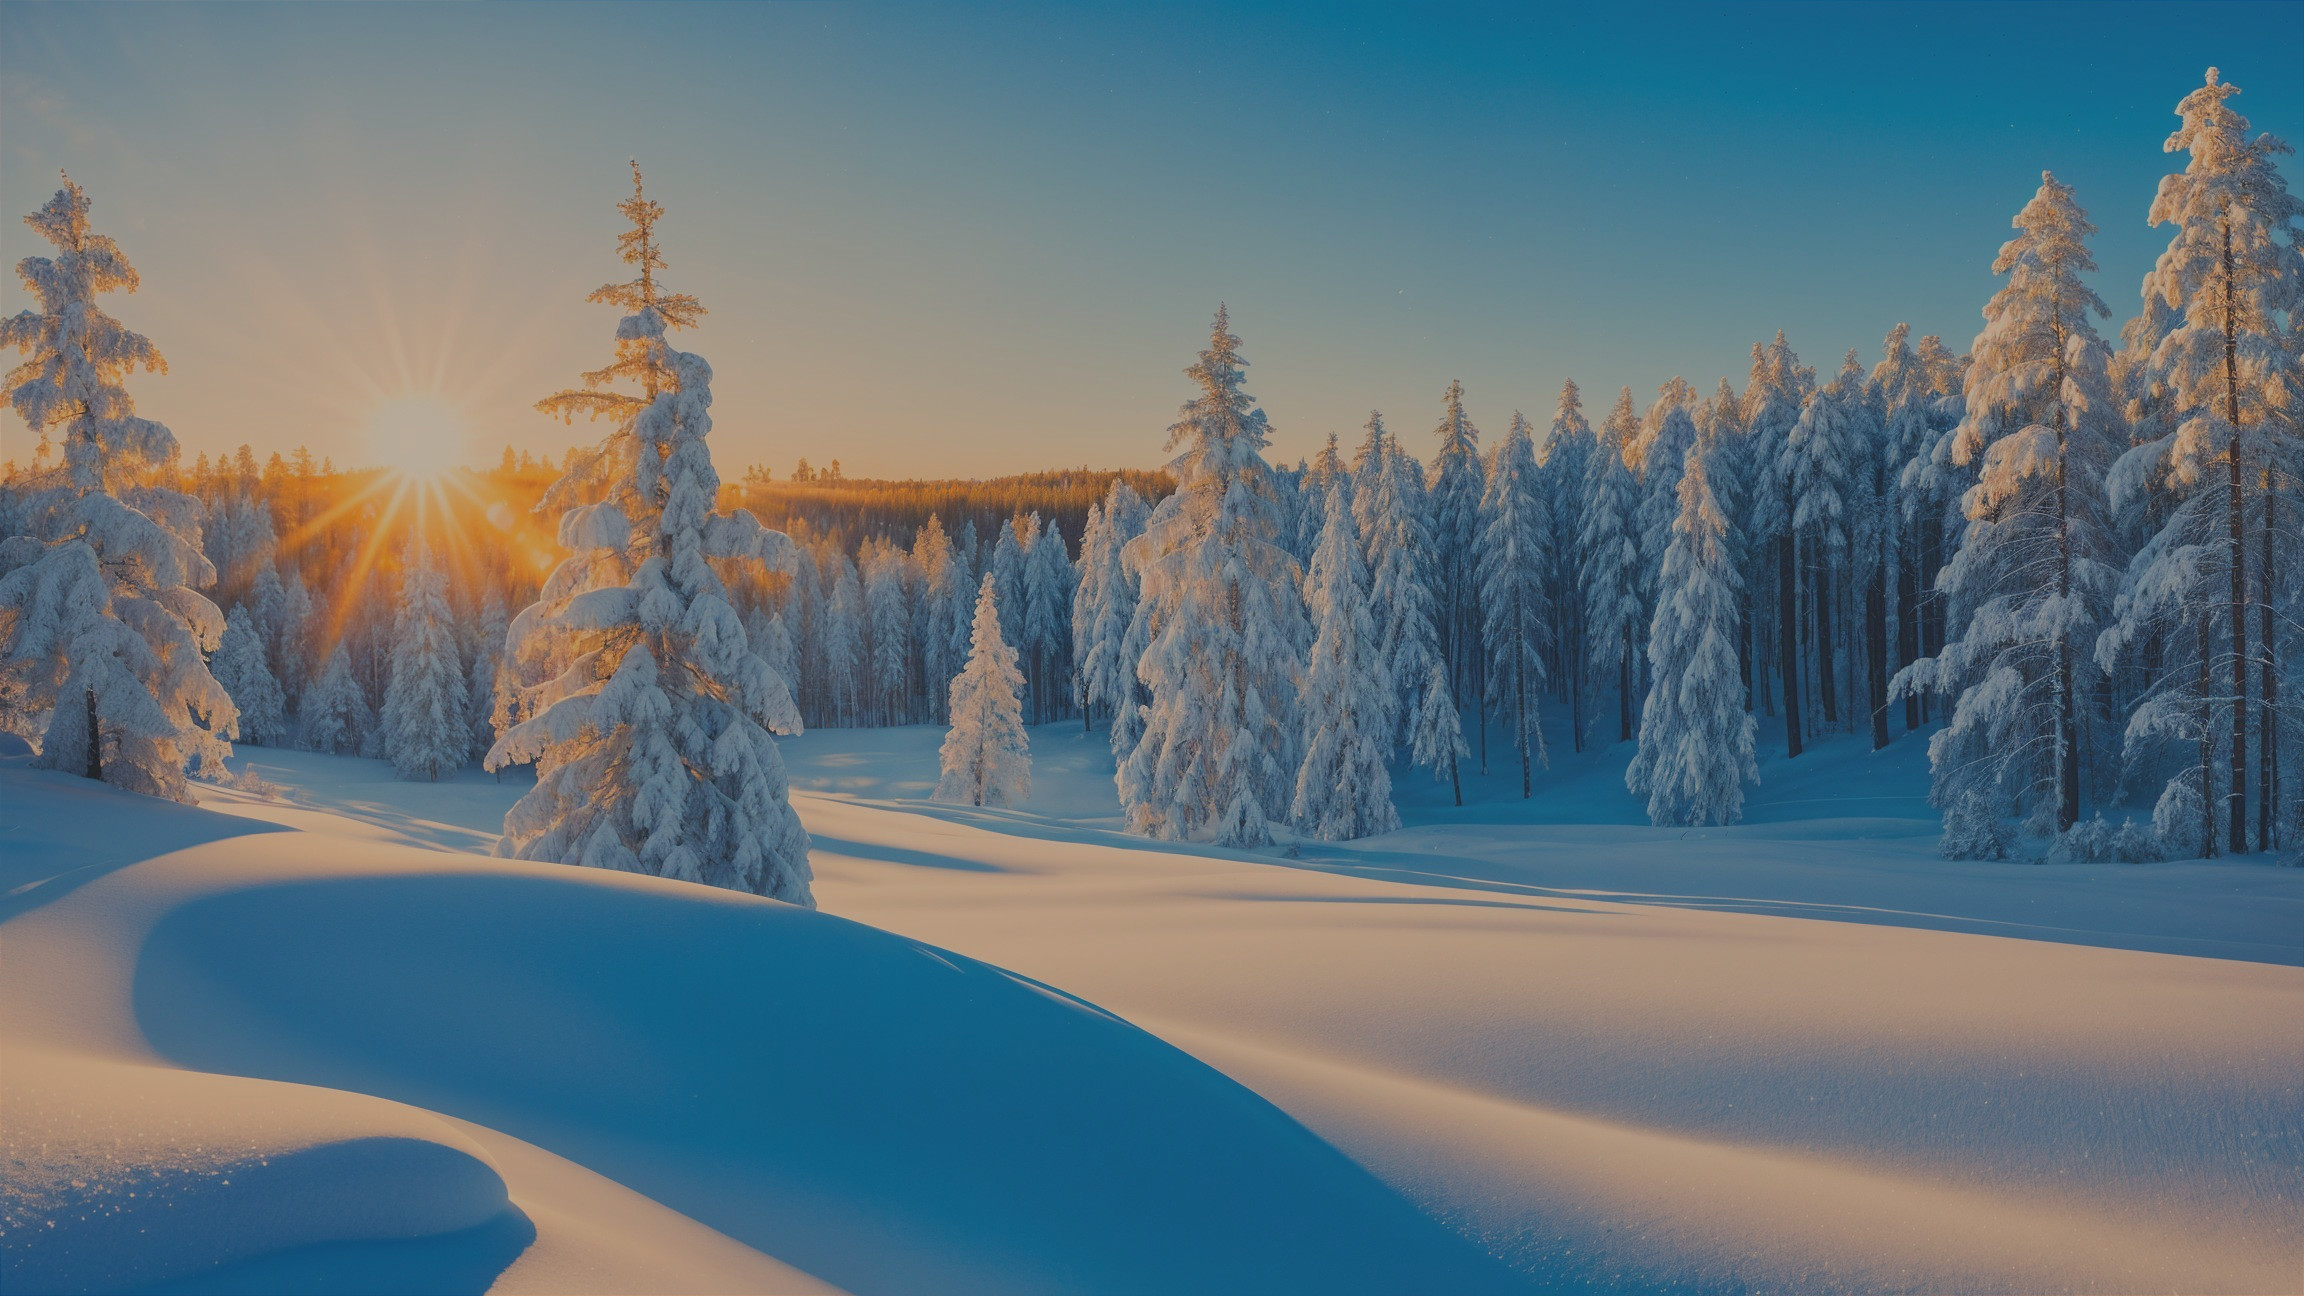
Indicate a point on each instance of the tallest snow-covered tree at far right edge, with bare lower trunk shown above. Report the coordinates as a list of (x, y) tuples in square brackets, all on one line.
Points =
[(2229, 361)]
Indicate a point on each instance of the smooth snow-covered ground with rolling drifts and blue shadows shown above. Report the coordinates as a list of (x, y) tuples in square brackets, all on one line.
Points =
[(319, 1043)]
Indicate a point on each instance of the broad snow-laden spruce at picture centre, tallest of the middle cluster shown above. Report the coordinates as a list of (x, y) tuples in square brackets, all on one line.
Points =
[(1222, 621)]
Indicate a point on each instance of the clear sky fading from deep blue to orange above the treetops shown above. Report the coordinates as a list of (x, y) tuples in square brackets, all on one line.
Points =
[(971, 241)]
